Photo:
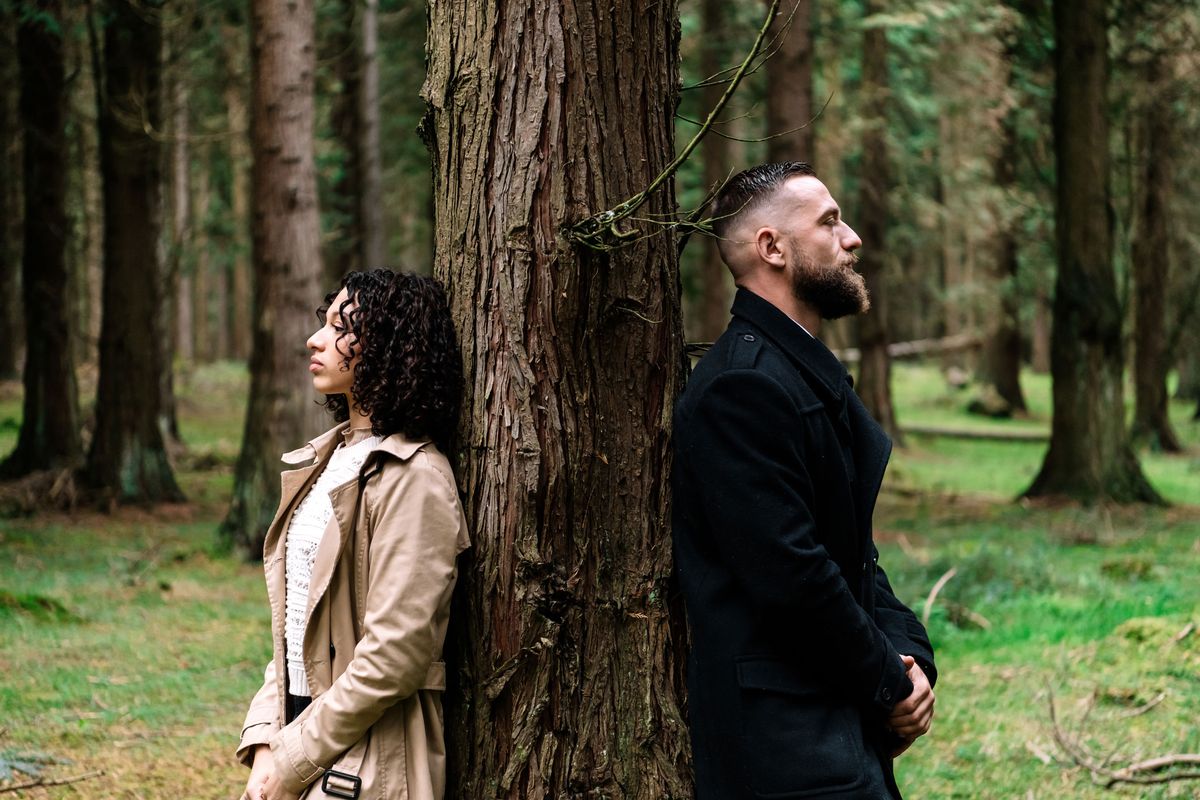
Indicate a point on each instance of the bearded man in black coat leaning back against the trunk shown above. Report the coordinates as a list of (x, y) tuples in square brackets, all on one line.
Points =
[(807, 676)]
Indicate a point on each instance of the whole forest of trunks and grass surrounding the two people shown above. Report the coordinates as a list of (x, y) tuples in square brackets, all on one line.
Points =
[(182, 182)]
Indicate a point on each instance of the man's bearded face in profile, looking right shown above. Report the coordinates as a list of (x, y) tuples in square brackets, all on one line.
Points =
[(821, 251)]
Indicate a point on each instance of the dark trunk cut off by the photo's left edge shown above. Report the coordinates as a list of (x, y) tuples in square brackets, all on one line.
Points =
[(10, 200)]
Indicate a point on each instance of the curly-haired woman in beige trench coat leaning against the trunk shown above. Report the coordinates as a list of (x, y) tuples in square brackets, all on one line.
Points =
[(361, 558)]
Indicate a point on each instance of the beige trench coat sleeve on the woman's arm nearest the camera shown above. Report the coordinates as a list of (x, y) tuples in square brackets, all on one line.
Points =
[(416, 528)]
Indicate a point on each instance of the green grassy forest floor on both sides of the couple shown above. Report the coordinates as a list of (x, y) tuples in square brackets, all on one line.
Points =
[(131, 642)]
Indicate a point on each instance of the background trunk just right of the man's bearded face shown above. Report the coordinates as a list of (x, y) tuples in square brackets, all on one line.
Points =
[(875, 371)]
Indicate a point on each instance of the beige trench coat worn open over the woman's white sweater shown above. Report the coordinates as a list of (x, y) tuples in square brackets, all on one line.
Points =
[(379, 605)]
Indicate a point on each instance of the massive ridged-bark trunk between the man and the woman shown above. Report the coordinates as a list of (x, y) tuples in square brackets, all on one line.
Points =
[(568, 634)]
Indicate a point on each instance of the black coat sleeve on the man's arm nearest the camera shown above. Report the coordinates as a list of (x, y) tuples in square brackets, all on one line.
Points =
[(755, 491)]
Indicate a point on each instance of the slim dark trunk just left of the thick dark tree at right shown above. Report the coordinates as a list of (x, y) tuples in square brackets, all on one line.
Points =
[(1003, 350)]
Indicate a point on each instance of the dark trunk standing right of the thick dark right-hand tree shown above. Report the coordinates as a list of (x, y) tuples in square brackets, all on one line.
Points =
[(1151, 269)]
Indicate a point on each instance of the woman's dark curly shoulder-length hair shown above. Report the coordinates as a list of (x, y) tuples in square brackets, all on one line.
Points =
[(410, 376)]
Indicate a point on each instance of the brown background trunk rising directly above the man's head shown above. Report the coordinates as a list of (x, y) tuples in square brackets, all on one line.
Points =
[(790, 106)]
